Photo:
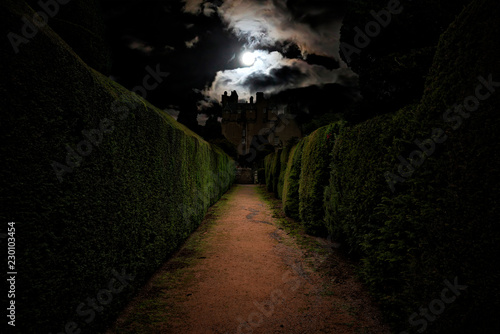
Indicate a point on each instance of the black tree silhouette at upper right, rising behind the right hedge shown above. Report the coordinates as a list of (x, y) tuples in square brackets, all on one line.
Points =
[(393, 62)]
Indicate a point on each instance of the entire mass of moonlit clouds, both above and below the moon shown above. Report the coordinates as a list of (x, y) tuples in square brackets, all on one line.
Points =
[(313, 26)]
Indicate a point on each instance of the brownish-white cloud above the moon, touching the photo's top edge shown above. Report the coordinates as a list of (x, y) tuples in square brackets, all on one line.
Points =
[(313, 25)]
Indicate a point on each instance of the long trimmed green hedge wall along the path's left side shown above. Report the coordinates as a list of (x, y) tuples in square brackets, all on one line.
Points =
[(139, 184)]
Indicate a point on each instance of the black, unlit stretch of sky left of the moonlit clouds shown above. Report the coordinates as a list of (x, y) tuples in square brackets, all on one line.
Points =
[(192, 48)]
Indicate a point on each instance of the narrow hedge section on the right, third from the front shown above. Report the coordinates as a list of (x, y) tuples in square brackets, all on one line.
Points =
[(291, 181)]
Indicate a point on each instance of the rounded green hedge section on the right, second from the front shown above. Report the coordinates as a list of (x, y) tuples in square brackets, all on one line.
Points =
[(314, 175)]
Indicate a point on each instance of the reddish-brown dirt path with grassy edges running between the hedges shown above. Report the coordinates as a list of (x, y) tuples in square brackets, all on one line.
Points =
[(241, 273)]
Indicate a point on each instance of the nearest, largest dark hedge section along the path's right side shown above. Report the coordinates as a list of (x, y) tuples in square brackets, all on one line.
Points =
[(441, 223)]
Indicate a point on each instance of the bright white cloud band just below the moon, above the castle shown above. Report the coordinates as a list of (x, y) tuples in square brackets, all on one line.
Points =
[(272, 73)]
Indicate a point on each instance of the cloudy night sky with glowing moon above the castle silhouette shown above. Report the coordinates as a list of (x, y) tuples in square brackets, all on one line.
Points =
[(295, 44)]
